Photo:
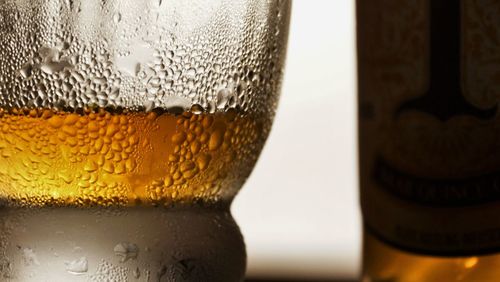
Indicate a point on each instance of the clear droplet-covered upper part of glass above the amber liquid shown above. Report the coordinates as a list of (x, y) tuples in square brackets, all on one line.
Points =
[(141, 54)]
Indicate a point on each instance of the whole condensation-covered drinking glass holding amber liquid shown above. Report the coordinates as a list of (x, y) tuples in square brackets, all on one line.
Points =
[(126, 129)]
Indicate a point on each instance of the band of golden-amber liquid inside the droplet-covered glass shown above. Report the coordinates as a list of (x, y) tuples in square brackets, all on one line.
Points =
[(105, 158)]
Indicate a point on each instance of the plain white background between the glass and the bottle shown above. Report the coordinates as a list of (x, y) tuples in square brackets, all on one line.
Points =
[(299, 209)]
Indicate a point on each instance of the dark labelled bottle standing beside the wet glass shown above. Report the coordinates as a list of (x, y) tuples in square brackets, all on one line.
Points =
[(428, 136)]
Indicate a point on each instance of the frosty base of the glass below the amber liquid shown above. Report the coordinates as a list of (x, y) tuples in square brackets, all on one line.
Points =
[(120, 244)]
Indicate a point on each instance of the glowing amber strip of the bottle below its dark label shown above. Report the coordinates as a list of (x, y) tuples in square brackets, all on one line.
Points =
[(384, 263)]
